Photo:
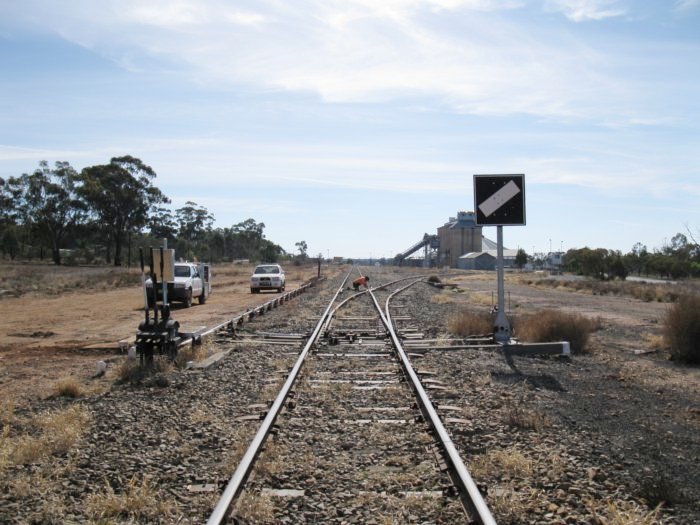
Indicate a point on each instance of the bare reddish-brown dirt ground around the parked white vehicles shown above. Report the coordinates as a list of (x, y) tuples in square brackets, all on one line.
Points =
[(46, 339)]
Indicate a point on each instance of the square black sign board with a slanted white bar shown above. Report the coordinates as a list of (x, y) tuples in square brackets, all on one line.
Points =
[(499, 200)]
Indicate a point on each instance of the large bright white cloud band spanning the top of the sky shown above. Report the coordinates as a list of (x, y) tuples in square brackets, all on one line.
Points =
[(467, 55)]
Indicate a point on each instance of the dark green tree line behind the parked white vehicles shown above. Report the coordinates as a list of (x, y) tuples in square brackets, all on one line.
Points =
[(97, 214)]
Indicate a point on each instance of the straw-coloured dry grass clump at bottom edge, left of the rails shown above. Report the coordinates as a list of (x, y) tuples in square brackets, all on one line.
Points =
[(138, 502)]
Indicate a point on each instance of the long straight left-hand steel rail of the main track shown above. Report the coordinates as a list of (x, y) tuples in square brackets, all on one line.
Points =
[(237, 481)]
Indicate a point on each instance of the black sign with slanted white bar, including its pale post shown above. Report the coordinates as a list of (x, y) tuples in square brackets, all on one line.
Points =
[(500, 200)]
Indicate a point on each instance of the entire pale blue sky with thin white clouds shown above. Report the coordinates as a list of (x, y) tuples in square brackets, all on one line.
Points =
[(357, 125)]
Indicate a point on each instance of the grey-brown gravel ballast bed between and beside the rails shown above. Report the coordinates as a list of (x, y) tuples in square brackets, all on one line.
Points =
[(351, 444)]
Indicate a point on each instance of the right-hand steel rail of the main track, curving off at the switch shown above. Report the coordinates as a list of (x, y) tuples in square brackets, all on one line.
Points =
[(469, 492)]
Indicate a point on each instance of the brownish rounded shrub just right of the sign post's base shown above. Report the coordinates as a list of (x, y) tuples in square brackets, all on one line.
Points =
[(553, 325)]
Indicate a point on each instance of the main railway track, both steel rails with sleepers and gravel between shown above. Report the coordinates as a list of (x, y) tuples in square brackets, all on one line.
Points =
[(355, 434)]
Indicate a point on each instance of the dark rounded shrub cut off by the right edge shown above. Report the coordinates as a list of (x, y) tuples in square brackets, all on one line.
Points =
[(682, 329)]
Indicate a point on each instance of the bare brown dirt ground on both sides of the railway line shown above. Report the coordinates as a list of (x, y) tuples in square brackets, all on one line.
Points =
[(47, 338)]
